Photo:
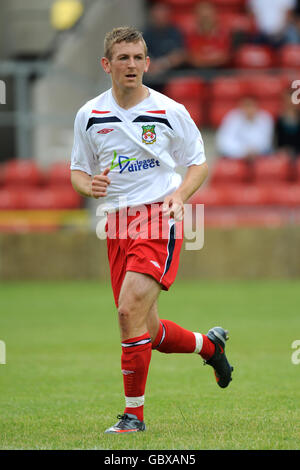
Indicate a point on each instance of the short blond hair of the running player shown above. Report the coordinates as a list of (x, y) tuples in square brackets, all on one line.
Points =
[(123, 33)]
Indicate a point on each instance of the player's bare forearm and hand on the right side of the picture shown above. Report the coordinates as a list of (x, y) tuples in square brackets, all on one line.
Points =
[(194, 178)]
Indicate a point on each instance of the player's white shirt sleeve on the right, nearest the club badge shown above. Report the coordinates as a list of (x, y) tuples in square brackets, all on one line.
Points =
[(189, 147)]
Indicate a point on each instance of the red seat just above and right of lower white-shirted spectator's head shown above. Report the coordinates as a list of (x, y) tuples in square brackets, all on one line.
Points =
[(265, 86)]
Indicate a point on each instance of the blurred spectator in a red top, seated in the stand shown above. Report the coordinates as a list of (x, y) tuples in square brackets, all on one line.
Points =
[(209, 45)]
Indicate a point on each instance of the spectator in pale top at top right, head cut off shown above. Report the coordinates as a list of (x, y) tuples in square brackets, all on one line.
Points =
[(272, 18)]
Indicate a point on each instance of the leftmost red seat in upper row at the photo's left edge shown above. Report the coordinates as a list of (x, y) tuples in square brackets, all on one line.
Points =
[(22, 172)]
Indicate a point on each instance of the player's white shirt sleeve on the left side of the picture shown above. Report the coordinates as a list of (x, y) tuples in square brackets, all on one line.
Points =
[(82, 157)]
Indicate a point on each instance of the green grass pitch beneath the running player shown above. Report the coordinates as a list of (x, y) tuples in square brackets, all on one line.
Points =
[(62, 386)]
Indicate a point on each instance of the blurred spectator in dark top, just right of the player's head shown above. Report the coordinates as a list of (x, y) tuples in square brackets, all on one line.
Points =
[(165, 42)]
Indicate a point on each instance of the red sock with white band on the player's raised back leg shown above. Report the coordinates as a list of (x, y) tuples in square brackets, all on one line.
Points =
[(172, 338)]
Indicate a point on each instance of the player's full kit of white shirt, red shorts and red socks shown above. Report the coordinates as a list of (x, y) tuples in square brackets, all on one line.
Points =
[(142, 147)]
